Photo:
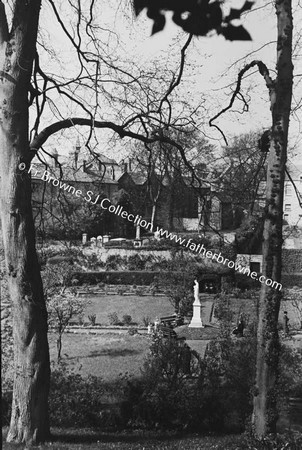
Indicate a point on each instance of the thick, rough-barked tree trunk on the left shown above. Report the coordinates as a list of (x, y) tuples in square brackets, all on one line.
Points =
[(29, 420)]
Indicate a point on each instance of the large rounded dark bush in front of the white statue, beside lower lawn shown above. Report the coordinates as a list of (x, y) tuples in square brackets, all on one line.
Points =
[(166, 396)]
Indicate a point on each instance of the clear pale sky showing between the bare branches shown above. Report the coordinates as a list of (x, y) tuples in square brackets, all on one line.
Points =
[(211, 71)]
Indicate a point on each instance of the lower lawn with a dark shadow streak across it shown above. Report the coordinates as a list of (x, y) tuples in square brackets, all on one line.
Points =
[(106, 355)]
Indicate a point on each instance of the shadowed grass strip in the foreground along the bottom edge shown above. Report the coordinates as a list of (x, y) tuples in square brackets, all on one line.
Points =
[(87, 439)]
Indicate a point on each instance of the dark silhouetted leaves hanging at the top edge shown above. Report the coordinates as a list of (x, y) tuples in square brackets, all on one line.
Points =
[(197, 17)]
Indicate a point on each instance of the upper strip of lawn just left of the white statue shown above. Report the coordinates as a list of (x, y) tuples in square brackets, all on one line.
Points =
[(137, 307)]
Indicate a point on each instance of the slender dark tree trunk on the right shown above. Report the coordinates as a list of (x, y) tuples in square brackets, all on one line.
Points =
[(265, 412)]
